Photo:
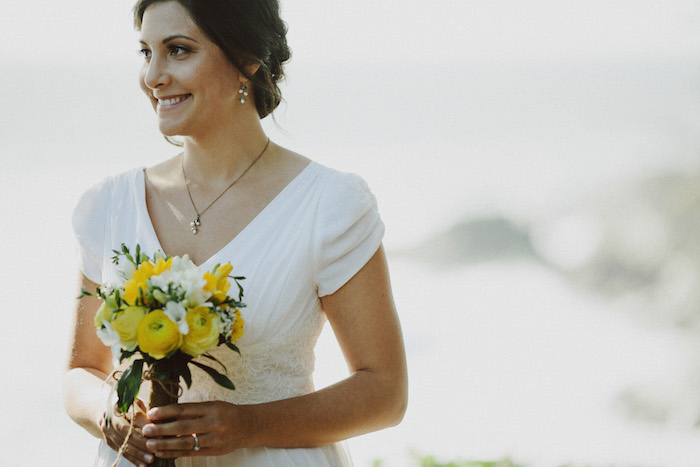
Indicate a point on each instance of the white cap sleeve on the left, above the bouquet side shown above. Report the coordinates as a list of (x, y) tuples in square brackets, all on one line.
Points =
[(89, 225)]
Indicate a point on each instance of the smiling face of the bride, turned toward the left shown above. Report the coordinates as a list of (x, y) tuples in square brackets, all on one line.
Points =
[(190, 82)]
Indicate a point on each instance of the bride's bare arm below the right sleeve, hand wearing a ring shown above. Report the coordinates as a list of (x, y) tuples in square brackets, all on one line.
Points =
[(374, 396)]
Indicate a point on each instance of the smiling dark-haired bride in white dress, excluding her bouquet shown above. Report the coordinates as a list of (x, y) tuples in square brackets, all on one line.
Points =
[(307, 238)]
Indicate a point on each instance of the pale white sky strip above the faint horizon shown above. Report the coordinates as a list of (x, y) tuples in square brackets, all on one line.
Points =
[(387, 31)]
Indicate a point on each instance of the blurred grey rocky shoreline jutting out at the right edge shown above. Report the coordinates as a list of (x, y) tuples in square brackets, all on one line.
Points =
[(635, 244)]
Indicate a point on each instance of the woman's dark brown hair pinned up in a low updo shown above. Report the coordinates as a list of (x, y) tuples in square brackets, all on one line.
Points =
[(248, 32)]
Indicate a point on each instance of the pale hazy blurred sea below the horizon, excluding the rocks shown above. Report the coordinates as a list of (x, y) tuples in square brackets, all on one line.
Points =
[(506, 357)]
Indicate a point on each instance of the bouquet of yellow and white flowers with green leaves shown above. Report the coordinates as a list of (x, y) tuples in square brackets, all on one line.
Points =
[(164, 315)]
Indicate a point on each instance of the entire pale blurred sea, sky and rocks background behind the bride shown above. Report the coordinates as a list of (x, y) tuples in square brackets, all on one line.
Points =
[(536, 164)]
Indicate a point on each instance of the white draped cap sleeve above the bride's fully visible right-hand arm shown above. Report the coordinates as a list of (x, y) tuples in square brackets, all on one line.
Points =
[(348, 231)]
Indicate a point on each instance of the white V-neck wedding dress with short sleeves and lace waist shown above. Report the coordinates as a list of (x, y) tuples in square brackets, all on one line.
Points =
[(311, 239)]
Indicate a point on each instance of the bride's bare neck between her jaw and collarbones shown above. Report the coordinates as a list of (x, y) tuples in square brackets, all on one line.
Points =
[(220, 156)]
